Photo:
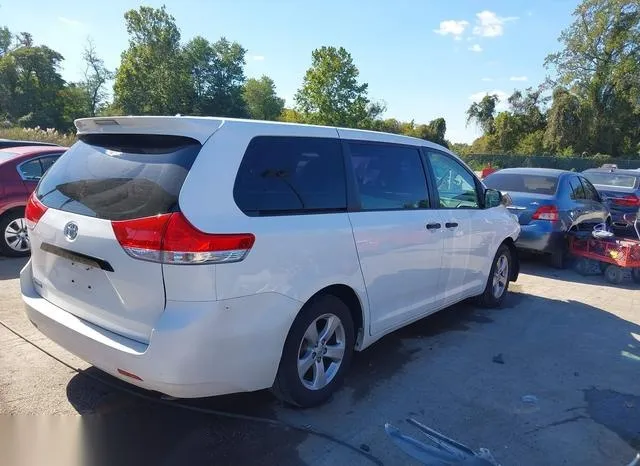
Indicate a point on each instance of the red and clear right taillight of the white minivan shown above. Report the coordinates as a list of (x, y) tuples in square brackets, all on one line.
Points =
[(171, 239)]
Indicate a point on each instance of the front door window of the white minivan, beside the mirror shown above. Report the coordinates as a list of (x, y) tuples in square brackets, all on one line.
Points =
[(456, 186)]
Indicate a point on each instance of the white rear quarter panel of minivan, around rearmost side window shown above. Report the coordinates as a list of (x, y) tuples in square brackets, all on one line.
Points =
[(295, 256)]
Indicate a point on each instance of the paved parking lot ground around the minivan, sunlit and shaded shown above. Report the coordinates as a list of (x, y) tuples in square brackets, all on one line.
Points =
[(550, 379)]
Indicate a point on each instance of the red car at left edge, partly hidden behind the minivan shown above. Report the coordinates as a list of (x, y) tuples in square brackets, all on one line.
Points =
[(20, 170)]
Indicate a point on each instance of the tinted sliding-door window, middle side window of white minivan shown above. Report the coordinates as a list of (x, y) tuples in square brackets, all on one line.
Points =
[(389, 177)]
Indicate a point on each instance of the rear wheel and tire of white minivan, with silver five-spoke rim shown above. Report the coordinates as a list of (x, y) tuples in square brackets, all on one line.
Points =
[(298, 390)]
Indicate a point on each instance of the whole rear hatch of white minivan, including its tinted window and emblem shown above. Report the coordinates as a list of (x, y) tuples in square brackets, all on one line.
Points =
[(94, 219)]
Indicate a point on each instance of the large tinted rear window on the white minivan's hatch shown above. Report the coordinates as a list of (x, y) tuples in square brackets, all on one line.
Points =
[(119, 176)]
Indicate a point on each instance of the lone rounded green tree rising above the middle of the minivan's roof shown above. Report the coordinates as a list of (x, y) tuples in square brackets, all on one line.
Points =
[(330, 93)]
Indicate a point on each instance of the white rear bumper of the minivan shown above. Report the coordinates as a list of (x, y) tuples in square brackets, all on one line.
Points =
[(196, 349)]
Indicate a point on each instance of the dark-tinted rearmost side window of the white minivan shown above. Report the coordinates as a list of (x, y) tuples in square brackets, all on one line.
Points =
[(291, 175)]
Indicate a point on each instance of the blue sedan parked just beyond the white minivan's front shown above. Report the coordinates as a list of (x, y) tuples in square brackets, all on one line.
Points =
[(548, 204)]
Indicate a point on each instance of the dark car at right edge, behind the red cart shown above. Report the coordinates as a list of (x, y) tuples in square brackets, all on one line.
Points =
[(620, 191)]
